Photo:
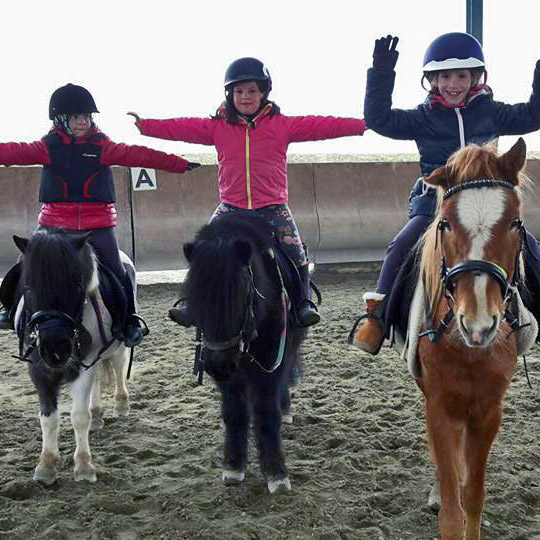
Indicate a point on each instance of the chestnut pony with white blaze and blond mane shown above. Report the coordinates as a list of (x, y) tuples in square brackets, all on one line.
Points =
[(466, 354)]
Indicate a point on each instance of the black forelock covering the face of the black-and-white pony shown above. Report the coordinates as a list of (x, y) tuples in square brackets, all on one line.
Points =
[(54, 270)]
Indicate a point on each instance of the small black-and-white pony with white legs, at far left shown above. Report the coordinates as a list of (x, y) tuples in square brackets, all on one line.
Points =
[(65, 335)]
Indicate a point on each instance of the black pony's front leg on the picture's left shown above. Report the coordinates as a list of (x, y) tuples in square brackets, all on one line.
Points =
[(235, 415)]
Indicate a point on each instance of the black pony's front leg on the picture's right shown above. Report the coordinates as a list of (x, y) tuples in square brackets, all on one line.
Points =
[(267, 412)]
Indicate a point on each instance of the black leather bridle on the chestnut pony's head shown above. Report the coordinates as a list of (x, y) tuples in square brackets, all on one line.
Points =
[(450, 275)]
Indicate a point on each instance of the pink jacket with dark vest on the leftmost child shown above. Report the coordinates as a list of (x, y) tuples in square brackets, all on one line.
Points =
[(90, 205)]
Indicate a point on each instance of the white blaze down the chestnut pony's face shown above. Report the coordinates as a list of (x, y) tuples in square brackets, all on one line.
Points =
[(479, 210)]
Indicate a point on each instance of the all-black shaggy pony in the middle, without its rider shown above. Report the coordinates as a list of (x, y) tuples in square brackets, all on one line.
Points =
[(235, 293)]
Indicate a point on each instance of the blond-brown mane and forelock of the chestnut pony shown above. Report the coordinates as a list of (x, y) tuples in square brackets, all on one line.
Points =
[(465, 165)]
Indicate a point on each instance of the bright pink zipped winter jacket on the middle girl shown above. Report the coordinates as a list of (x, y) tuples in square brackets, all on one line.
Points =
[(252, 159)]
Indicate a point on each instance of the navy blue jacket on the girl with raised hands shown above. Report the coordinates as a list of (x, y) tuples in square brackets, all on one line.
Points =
[(439, 131)]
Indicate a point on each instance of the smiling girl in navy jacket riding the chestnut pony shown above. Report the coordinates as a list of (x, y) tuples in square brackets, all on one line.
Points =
[(458, 110)]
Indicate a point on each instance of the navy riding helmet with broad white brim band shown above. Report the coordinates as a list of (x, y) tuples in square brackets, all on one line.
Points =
[(455, 50)]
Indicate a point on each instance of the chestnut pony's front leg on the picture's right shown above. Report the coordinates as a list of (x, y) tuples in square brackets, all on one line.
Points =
[(478, 443)]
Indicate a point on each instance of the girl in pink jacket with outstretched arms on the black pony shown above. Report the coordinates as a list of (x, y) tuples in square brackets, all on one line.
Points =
[(251, 137)]
